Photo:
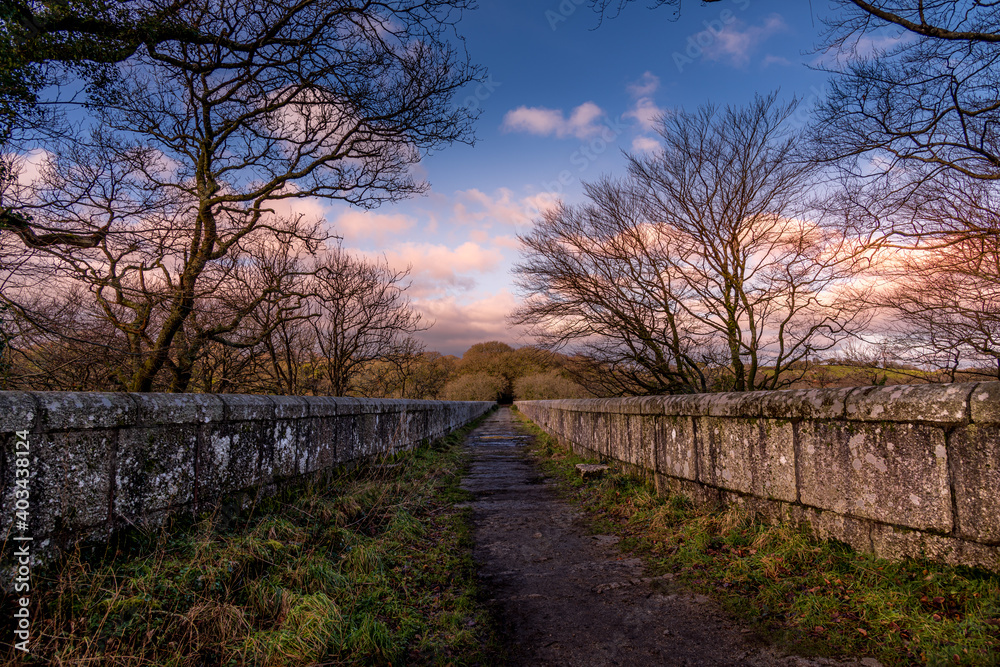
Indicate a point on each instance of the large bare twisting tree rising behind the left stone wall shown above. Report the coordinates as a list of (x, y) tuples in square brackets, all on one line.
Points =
[(199, 143)]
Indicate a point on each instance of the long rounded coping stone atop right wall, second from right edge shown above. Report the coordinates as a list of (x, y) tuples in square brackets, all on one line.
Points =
[(940, 403)]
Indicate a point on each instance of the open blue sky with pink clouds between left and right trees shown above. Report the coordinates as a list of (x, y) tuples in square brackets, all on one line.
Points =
[(564, 97)]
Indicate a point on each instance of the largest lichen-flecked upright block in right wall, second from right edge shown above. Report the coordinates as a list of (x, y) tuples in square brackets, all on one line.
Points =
[(896, 473)]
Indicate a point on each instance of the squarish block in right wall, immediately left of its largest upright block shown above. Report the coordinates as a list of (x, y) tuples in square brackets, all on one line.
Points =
[(754, 456)]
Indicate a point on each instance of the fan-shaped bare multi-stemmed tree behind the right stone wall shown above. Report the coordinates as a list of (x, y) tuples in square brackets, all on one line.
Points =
[(696, 273)]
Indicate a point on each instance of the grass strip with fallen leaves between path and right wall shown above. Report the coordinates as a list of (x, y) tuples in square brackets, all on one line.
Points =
[(813, 597)]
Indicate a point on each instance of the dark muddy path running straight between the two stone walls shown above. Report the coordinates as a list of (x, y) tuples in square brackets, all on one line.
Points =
[(567, 597)]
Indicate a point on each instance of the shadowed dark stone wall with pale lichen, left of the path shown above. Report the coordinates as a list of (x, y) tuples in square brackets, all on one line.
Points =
[(99, 461)]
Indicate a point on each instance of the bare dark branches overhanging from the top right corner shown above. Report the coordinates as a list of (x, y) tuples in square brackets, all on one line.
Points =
[(913, 113)]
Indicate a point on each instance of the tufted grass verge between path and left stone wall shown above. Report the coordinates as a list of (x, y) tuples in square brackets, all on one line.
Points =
[(373, 567)]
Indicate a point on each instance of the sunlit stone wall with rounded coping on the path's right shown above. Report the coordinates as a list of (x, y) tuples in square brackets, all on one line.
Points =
[(910, 470)]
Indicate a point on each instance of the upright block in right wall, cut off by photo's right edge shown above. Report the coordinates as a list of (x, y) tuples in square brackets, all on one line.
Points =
[(974, 455)]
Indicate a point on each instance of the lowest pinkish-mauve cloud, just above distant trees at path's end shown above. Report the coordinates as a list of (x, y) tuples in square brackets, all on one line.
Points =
[(458, 324)]
